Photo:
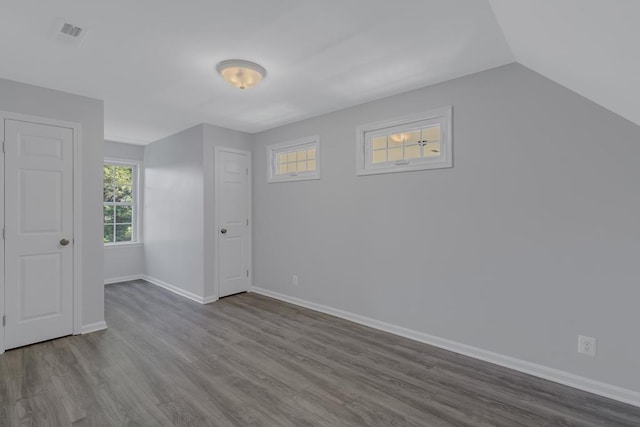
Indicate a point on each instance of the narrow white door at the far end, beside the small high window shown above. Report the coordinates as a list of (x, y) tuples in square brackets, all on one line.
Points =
[(234, 237)]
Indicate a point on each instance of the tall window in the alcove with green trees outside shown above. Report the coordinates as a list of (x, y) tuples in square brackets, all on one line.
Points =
[(119, 185)]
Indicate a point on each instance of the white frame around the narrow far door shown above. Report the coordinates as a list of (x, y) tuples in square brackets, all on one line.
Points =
[(216, 261)]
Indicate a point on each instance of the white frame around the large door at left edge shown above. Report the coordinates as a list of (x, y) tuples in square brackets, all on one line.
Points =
[(77, 214)]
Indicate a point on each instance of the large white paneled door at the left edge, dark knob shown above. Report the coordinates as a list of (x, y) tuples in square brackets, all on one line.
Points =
[(38, 232)]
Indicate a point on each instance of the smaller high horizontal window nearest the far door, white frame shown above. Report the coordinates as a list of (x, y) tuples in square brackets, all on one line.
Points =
[(294, 160)]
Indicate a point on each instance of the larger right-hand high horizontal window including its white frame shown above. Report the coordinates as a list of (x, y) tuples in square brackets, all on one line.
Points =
[(416, 142)]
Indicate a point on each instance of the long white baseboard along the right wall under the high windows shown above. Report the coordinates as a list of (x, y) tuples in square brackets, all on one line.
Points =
[(582, 383)]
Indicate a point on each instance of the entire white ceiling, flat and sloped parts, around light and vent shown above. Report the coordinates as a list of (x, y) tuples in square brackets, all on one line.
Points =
[(152, 61)]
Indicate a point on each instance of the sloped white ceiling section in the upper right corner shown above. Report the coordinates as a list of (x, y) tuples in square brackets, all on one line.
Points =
[(589, 46)]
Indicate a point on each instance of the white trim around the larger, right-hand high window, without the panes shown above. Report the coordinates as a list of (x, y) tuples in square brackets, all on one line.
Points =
[(445, 160)]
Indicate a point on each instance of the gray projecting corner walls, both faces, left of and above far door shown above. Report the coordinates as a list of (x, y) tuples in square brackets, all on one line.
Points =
[(179, 210)]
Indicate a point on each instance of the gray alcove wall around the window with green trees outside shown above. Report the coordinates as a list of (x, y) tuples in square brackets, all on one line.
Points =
[(126, 261)]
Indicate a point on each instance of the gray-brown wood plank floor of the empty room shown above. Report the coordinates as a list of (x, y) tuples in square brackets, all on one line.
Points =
[(250, 360)]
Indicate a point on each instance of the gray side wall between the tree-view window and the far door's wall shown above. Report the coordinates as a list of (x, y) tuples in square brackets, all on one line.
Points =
[(173, 210)]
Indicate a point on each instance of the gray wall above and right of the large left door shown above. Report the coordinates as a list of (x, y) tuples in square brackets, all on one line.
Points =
[(26, 99)]
